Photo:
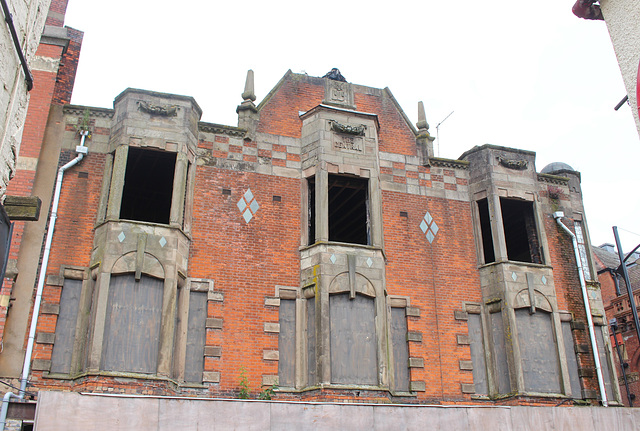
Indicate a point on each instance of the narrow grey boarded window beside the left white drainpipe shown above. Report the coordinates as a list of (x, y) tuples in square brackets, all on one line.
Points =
[(66, 326)]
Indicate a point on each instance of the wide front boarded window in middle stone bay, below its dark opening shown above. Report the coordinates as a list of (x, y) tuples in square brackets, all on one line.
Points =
[(353, 340)]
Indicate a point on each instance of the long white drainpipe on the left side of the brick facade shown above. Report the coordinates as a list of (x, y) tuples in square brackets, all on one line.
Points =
[(26, 368)]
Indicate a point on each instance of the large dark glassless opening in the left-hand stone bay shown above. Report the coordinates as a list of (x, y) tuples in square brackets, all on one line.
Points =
[(148, 186)]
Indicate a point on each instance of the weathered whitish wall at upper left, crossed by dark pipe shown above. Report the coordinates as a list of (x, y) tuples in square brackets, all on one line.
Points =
[(28, 19)]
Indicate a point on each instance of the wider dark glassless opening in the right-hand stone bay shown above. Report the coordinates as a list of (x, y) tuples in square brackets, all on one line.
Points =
[(520, 231)]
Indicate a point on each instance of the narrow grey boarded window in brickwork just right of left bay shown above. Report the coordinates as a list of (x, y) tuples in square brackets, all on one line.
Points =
[(194, 362)]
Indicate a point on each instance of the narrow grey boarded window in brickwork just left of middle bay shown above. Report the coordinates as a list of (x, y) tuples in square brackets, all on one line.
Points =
[(287, 343)]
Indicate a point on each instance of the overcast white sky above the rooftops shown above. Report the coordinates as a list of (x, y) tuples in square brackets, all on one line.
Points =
[(517, 74)]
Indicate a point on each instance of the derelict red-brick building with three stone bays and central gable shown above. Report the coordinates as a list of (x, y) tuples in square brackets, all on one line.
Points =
[(317, 252)]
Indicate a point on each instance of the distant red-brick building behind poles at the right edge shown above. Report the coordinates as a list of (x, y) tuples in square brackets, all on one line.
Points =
[(618, 307)]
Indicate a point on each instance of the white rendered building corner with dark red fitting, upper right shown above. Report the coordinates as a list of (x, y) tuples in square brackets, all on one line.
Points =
[(622, 18)]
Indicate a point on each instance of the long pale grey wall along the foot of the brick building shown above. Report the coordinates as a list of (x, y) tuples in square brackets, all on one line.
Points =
[(74, 411)]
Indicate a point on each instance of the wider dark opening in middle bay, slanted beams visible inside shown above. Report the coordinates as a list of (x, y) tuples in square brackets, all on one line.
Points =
[(348, 210)]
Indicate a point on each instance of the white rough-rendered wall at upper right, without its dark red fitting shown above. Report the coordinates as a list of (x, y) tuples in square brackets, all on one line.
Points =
[(623, 21)]
